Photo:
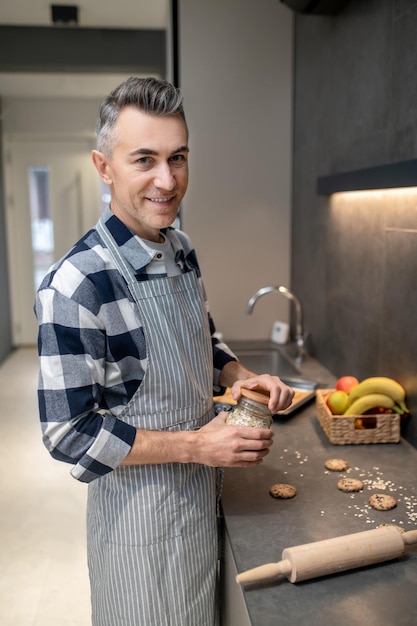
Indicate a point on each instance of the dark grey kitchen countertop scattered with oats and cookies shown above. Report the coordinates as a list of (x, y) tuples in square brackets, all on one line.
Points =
[(259, 527)]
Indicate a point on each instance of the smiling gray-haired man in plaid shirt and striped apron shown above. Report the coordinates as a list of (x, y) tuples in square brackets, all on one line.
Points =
[(128, 365)]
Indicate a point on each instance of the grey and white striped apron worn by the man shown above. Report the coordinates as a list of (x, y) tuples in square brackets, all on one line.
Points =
[(151, 529)]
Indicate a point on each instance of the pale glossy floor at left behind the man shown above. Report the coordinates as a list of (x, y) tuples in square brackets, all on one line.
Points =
[(43, 570)]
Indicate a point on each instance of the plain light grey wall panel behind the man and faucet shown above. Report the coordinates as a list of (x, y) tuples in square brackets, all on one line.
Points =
[(236, 75)]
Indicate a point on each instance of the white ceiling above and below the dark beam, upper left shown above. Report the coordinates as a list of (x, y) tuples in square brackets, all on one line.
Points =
[(91, 14)]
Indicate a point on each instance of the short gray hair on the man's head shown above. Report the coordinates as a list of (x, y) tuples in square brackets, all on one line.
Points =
[(150, 95)]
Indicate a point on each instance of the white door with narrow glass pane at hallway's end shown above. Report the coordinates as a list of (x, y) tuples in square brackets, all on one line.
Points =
[(53, 197)]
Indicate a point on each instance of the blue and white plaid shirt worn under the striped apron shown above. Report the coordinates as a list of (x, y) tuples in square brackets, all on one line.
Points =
[(92, 350)]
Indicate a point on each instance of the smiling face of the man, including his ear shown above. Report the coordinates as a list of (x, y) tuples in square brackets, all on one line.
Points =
[(148, 170)]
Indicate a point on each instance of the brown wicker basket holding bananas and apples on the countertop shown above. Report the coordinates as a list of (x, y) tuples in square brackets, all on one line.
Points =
[(341, 430)]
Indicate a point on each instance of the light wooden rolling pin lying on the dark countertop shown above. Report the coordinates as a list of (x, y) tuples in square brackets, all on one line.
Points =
[(330, 556)]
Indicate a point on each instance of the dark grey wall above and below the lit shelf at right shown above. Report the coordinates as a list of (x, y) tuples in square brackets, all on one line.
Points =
[(355, 270)]
